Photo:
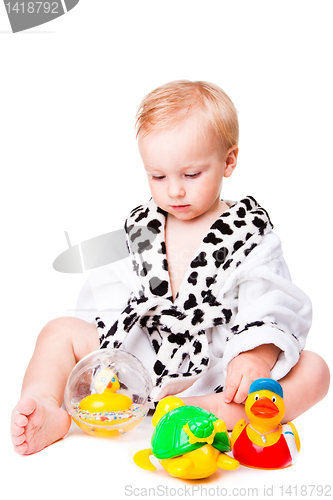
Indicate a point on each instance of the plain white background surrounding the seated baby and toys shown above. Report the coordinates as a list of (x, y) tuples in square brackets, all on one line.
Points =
[(69, 91)]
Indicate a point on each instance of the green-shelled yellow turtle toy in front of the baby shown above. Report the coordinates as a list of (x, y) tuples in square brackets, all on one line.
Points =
[(188, 441)]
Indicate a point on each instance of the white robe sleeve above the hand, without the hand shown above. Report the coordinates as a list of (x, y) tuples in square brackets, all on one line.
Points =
[(270, 309)]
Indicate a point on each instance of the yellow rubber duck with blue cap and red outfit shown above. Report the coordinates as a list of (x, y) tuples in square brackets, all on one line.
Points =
[(265, 443)]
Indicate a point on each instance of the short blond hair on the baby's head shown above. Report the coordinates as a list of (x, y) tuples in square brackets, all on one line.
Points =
[(173, 102)]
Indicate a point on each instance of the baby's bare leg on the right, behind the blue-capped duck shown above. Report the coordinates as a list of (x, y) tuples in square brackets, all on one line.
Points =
[(305, 385)]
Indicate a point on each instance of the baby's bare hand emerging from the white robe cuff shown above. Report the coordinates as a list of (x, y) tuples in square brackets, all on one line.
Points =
[(247, 367)]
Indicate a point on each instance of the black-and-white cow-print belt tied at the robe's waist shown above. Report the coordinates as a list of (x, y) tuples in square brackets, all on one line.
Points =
[(176, 336)]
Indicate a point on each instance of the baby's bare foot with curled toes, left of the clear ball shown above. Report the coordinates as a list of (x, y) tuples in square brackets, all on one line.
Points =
[(37, 424)]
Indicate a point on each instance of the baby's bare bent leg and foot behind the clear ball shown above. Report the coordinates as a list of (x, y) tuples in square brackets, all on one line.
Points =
[(38, 420)]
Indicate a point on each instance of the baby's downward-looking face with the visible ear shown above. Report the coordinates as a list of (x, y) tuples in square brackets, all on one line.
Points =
[(185, 169)]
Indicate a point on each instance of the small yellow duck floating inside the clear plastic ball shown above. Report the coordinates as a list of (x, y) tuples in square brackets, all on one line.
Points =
[(107, 399)]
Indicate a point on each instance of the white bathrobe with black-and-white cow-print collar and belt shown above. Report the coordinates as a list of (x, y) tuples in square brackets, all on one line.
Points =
[(235, 295)]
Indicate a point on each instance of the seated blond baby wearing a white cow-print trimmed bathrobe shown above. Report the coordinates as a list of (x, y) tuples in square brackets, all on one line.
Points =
[(208, 304)]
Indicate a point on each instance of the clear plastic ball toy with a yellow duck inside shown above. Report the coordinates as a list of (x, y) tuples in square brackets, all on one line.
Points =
[(107, 393)]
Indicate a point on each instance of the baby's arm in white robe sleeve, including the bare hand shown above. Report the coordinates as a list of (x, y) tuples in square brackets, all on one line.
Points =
[(271, 324)]
